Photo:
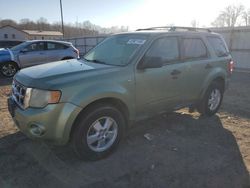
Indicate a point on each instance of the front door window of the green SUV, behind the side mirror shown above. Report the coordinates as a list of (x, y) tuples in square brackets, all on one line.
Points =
[(164, 48)]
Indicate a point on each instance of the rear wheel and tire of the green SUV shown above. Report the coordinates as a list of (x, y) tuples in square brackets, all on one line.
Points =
[(212, 99)]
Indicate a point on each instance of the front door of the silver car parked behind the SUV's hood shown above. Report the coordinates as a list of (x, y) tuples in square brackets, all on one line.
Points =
[(33, 54)]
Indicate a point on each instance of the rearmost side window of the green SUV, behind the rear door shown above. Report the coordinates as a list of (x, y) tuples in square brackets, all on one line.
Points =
[(218, 46)]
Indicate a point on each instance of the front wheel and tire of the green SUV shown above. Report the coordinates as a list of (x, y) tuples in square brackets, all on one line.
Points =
[(98, 132)]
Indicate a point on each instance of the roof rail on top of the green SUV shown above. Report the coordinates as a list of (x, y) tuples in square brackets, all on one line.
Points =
[(176, 28)]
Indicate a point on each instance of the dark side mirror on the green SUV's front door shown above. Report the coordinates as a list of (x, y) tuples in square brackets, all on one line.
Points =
[(150, 62)]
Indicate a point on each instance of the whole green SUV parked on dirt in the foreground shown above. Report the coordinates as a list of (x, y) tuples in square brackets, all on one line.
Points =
[(128, 77)]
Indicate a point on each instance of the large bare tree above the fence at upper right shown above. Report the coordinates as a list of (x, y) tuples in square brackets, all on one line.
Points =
[(229, 17)]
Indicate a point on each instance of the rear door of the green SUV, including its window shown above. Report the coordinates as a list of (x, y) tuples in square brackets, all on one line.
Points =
[(198, 63)]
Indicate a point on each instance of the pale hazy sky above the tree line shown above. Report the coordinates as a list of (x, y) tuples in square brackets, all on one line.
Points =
[(132, 13)]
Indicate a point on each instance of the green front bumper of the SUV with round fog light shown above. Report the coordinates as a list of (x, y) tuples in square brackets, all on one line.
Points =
[(52, 123)]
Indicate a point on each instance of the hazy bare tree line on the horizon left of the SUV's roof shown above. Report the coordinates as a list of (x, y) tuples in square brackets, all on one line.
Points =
[(77, 29)]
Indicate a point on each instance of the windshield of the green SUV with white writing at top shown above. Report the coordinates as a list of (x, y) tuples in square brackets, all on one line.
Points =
[(116, 50)]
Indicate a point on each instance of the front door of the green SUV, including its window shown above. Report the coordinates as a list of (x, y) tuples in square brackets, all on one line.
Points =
[(157, 89)]
